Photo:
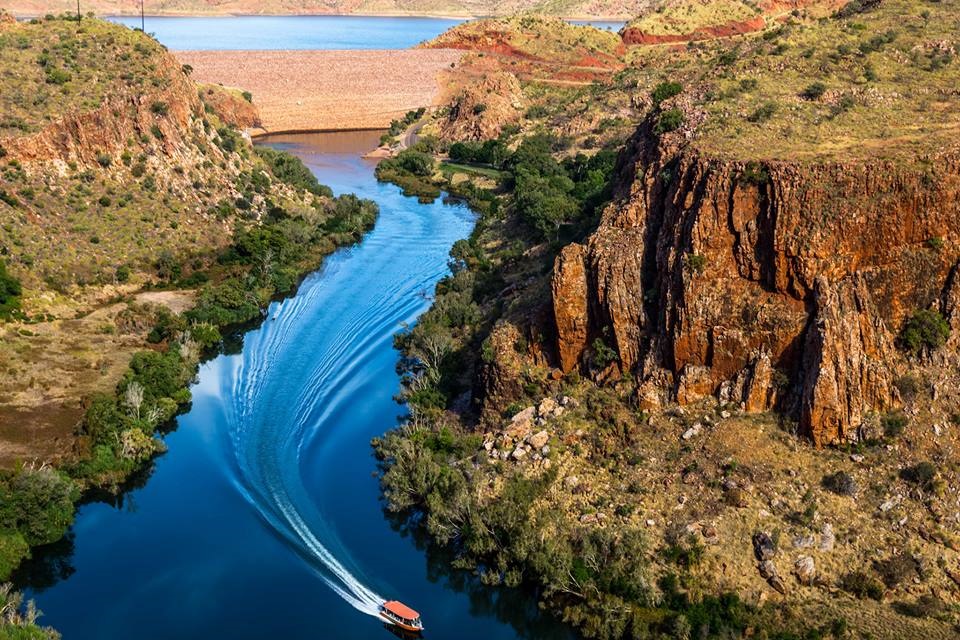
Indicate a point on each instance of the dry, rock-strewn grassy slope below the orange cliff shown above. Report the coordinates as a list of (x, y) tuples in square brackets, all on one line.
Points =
[(656, 481)]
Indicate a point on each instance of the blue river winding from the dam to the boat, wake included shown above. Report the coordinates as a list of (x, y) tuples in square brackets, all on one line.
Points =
[(263, 519)]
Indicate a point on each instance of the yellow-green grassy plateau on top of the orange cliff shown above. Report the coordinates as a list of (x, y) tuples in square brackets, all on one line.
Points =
[(888, 81)]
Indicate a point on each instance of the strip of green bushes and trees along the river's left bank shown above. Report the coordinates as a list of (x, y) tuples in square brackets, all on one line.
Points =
[(118, 434)]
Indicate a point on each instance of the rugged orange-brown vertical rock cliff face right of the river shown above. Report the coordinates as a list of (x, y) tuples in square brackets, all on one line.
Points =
[(772, 285)]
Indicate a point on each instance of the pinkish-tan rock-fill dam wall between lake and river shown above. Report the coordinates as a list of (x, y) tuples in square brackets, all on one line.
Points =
[(327, 90)]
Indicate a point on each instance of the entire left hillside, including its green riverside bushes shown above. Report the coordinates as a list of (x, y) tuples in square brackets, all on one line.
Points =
[(137, 222)]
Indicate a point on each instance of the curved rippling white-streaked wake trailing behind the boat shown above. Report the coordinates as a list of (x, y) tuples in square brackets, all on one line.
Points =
[(296, 371)]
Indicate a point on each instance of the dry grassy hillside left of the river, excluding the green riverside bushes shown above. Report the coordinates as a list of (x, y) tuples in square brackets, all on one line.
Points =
[(72, 230)]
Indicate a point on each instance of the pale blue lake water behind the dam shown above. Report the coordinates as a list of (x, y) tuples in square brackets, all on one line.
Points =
[(299, 32)]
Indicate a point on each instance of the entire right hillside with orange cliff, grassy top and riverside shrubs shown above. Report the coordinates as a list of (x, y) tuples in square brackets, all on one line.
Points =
[(707, 322)]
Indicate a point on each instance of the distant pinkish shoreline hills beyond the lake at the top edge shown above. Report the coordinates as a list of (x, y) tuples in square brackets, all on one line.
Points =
[(615, 10)]
